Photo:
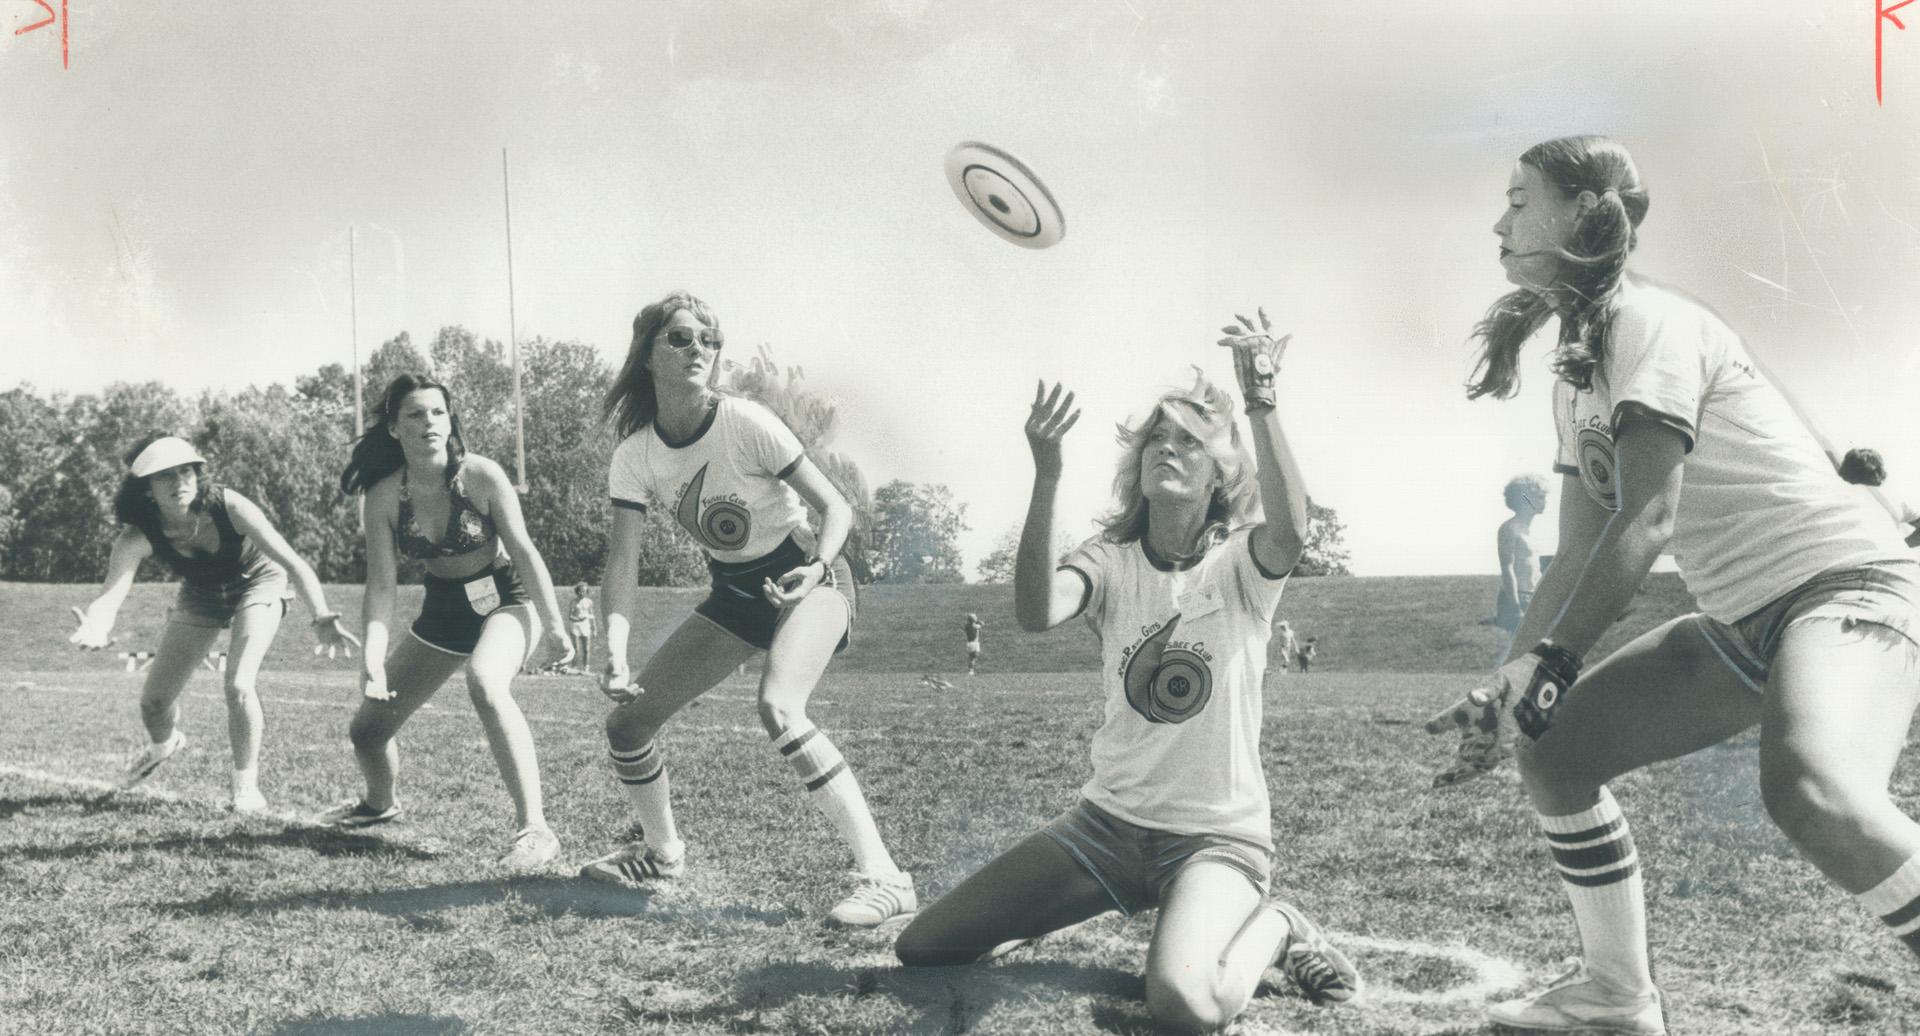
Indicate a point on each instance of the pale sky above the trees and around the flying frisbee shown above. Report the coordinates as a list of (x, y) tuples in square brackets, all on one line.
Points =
[(176, 206)]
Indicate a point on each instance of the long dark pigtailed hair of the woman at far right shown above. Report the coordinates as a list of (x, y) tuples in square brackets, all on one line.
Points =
[(1593, 268)]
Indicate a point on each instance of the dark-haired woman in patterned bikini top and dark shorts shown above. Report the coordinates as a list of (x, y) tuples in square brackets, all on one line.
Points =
[(460, 515)]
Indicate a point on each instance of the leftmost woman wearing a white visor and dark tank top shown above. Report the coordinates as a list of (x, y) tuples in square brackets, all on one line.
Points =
[(233, 569)]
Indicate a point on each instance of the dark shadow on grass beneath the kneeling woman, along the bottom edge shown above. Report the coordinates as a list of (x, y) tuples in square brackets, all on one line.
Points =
[(942, 999)]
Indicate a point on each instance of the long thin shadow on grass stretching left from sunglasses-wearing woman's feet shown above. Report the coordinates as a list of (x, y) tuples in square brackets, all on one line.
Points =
[(539, 897)]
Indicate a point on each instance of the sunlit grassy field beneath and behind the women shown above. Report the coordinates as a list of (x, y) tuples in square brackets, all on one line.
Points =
[(156, 912)]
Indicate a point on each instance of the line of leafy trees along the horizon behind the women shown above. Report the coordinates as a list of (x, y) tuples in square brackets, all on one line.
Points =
[(283, 448)]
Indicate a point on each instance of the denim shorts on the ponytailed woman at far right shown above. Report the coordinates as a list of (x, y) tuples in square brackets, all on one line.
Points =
[(1879, 600)]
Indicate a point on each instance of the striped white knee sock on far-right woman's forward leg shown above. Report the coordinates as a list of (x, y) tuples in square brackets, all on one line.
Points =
[(1600, 870)]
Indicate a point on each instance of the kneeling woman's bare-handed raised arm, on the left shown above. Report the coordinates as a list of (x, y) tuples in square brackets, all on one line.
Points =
[(1045, 596)]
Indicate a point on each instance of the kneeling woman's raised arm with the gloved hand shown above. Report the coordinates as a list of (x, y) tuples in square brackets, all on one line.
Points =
[(1284, 496)]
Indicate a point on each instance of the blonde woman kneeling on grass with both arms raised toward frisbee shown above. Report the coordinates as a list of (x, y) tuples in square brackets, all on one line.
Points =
[(1182, 590)]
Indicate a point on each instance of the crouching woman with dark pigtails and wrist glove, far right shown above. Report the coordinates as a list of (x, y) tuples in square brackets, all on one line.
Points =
[(1671, 440)]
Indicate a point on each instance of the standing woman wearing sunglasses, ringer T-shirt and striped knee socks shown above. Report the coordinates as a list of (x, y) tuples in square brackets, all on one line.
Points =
[(734, 479)]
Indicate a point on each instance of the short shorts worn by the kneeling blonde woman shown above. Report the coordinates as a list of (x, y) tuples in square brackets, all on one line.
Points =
[(1138, 864)]
